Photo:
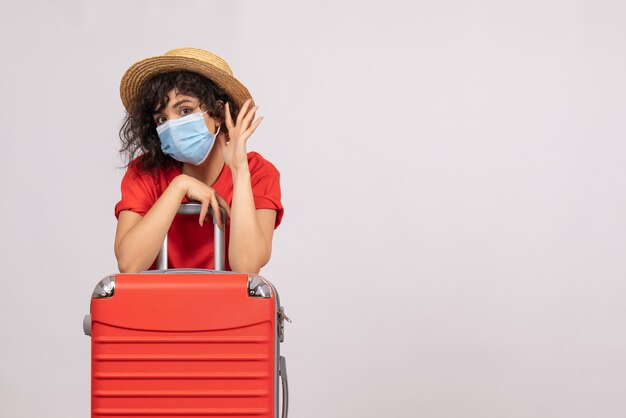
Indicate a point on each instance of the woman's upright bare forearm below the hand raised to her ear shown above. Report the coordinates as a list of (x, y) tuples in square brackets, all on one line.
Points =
[(248, 250)]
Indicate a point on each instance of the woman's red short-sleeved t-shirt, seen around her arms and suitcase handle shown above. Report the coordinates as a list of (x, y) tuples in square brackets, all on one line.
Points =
[(189, 245)]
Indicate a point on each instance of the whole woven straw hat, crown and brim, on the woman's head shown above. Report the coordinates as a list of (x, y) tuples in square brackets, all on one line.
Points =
[(183, 59)]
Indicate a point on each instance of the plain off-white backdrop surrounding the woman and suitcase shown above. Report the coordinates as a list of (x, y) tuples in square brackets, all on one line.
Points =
[(454, 184)]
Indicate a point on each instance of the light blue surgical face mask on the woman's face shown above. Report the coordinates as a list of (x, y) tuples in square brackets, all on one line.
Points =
[(187, 139)]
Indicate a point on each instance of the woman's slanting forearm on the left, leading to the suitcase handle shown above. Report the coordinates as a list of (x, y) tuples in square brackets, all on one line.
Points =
[(142, 243)]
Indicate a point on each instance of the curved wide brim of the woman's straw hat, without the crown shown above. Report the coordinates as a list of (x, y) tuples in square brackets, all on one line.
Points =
[(142, 70)]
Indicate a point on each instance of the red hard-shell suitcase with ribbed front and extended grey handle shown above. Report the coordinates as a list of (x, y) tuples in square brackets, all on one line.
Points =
[(186, 342)]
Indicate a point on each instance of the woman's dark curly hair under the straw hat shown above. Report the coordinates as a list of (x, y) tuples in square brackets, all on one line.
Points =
[(138, 132)]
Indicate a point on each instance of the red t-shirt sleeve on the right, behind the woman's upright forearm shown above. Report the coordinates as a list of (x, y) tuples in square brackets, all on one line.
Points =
[(265, 181)]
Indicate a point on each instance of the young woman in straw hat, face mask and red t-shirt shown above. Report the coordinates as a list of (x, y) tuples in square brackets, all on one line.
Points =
[(190, 119)]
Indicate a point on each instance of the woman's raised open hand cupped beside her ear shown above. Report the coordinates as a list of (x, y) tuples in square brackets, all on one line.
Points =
[(233, 144)]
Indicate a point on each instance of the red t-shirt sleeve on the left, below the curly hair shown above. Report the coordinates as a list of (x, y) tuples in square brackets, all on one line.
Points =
[(138, 191)]
